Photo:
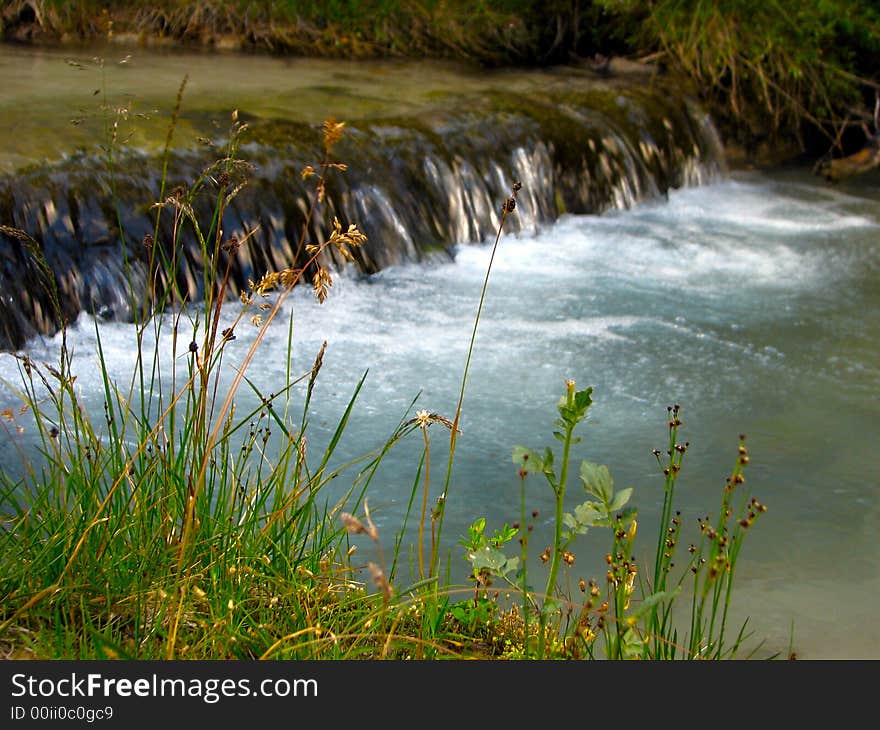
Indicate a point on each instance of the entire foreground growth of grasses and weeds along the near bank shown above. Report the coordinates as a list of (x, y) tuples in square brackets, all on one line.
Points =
[(180, 522)]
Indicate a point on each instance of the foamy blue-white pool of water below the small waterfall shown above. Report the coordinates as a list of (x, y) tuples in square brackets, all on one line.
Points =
[(750, 300)]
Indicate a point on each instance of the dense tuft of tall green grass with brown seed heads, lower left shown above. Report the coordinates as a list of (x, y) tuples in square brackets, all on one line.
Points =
[(173, 523)]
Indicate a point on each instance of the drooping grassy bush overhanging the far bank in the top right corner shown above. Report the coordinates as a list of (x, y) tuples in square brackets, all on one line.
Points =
[(771, 72)]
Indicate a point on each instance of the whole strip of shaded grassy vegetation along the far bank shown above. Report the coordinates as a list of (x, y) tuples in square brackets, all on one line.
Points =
[(780, 73)]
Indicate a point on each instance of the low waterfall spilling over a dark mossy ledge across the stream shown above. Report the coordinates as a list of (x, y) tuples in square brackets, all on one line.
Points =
[(417, 185)]
